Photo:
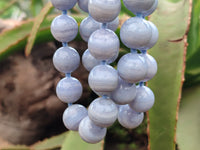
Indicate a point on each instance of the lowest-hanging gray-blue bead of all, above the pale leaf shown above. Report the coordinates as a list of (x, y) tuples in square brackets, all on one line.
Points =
[(91, 133)]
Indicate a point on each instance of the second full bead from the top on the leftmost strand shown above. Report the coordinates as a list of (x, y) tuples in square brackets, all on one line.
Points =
[(66, 59)]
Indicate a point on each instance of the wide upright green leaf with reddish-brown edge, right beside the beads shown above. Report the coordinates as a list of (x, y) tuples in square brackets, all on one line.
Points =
[(172, 20)]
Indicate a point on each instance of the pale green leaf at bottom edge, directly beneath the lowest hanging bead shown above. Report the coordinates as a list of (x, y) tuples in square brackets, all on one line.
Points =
[(74, 142)]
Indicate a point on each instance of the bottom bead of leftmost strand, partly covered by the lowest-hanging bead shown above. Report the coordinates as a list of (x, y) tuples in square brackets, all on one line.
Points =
[(73, 115)]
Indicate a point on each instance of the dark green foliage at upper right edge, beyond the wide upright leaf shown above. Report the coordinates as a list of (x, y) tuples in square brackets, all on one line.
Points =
[(193, 52)]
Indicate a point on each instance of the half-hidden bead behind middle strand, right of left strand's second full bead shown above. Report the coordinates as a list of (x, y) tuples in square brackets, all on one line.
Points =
[(89, 62)]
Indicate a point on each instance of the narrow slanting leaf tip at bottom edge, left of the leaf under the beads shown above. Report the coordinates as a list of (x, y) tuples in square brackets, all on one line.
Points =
[(52, 143)]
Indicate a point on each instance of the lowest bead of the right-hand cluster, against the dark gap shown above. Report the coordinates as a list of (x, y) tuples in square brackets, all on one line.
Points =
[(128, 118)]
